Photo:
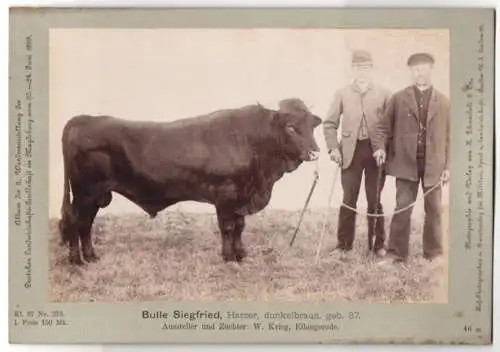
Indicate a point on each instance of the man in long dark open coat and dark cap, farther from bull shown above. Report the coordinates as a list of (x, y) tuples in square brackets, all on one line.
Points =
[(415, 135)]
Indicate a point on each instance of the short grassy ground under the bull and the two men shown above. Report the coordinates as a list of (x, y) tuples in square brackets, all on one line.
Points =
[(176, 256)]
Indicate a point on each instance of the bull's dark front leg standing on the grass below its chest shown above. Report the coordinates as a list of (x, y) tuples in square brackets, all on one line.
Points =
[(231, 226)]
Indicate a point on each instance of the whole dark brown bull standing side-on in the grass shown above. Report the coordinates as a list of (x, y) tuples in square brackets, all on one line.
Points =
[(229, 158)]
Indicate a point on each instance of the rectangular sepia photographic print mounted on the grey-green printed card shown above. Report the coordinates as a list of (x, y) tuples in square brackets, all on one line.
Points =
[(249, 164)]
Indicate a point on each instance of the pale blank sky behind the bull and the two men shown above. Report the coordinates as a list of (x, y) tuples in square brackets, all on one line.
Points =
[(168, 74)]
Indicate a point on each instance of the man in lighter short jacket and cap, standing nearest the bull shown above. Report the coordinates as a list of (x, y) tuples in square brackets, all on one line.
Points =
[(357, 109)]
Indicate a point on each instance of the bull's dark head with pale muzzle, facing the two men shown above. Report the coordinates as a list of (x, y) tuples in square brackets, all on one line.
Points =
[(296, 124)]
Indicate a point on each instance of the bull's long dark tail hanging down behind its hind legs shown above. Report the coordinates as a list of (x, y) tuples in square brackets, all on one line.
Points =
[(66, 207)]
